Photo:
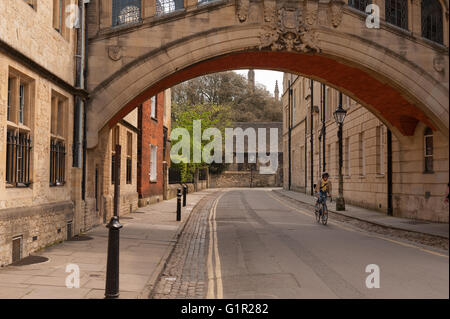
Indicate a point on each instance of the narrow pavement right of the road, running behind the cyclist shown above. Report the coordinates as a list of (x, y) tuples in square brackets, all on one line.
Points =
[(430, 228)]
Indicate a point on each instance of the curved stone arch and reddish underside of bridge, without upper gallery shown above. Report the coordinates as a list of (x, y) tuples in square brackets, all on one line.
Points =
[(400, 87)]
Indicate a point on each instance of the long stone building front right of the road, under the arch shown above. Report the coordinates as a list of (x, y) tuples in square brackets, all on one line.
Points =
[(419, 162)]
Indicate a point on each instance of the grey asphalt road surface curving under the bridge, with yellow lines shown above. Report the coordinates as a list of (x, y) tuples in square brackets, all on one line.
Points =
[(261, 246)]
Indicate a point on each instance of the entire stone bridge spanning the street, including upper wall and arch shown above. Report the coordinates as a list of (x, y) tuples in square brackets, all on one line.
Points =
[(399, 76)]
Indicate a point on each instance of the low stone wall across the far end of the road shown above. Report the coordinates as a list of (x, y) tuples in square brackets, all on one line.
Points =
[(244, 179)]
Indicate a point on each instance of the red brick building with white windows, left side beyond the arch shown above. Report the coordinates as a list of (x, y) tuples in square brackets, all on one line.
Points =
[(154, 125)]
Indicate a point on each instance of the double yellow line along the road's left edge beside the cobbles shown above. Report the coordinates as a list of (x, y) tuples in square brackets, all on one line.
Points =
[(214, 269)]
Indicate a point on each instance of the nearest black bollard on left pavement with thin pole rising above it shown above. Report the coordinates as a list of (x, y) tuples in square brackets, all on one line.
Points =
[(112, 267)]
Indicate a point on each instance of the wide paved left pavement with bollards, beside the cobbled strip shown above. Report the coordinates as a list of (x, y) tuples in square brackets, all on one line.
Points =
[(146, 241)]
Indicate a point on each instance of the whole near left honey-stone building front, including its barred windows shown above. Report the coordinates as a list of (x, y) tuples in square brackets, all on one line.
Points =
[(39, 183)]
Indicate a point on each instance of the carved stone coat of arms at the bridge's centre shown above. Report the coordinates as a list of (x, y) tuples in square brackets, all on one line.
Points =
[(288, 31)]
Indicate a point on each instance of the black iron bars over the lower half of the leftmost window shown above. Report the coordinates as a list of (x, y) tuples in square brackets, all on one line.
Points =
[(18, 154)]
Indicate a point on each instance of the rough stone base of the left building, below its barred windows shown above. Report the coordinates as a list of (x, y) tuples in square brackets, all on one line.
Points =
[(38, 226)]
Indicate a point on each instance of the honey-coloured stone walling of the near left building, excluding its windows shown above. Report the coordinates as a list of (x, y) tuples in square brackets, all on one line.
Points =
[(39, 213)]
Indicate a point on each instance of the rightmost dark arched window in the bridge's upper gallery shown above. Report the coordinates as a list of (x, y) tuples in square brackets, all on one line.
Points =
[(432, 27)]
